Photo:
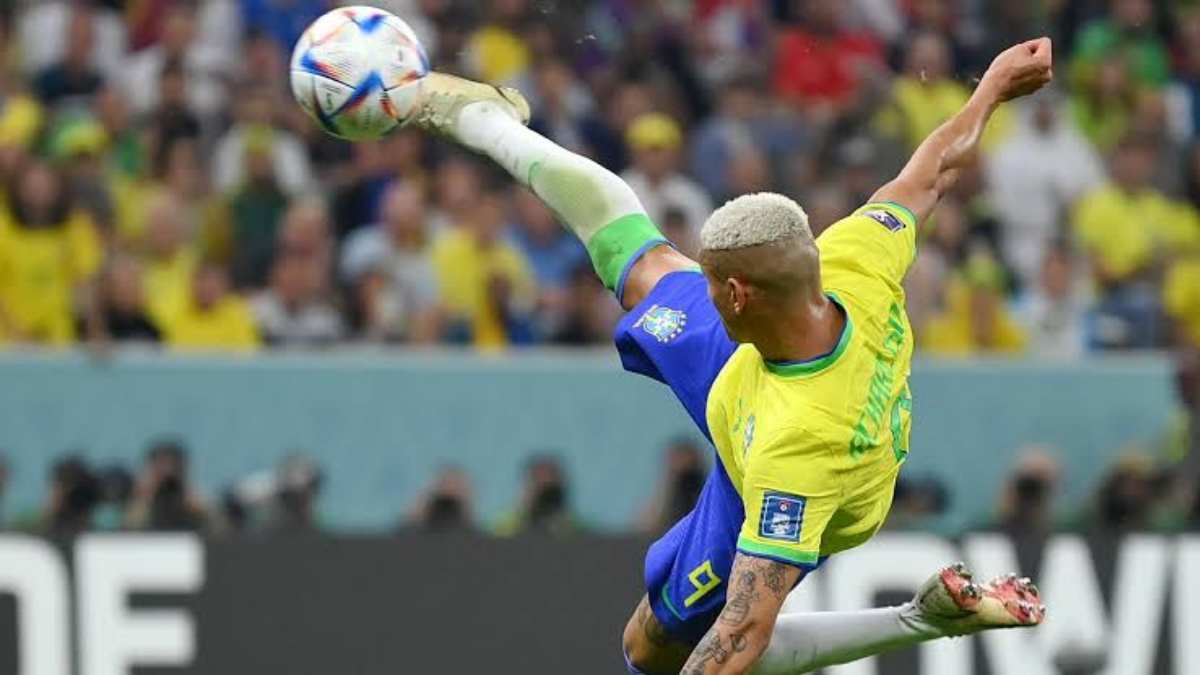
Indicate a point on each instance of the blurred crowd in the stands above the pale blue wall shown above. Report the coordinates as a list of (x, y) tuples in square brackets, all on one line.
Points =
[(160, 186)]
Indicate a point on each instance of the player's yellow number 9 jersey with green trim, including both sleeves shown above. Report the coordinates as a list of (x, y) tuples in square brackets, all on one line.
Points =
[(814, 447)]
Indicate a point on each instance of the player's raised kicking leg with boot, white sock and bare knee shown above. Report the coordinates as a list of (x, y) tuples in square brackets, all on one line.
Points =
[(628, 252)]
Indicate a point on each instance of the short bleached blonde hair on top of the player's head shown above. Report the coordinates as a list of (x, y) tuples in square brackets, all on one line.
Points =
[(754, 220)]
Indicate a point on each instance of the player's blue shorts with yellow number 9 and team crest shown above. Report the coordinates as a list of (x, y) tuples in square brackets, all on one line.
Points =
[(676, 337)]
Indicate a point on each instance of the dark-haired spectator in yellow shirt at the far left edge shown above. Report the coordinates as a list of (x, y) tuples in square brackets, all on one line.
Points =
[(49, 252)]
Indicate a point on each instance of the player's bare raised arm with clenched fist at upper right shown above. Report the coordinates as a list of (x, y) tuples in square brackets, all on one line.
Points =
[(934, 168)]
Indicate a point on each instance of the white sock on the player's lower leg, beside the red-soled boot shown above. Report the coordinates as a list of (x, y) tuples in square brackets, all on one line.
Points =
[(808, 642)]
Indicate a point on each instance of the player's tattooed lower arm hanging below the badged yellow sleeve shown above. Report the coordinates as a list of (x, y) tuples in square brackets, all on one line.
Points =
[(757, 593)]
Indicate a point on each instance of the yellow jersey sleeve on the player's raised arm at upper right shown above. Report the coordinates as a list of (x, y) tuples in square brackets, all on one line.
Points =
[(879, 240)]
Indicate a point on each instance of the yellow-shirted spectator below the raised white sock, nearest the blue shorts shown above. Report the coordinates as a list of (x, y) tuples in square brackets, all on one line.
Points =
[(485, 284)]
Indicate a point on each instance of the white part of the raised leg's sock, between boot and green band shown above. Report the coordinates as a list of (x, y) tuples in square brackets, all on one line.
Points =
[(586, 196)]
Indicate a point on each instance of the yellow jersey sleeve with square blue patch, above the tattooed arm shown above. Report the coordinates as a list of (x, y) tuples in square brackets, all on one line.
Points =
[(790, 492)]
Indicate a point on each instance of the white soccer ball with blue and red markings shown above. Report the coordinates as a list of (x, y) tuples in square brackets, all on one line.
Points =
[(357, 71)]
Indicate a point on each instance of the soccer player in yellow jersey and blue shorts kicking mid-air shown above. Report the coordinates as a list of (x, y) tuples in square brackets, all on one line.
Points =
[(793, 356)]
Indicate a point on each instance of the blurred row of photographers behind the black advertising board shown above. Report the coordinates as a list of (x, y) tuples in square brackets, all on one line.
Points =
[(1144, 491)]
